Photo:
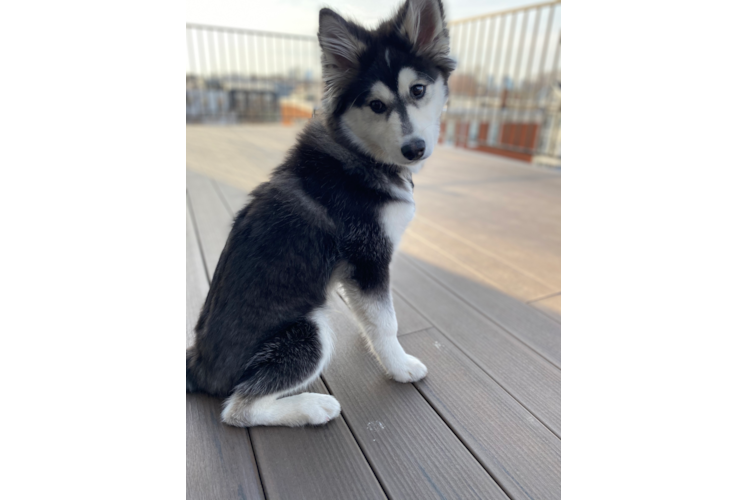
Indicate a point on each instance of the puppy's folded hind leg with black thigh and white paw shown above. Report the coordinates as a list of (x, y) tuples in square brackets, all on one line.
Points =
[(285, 364)]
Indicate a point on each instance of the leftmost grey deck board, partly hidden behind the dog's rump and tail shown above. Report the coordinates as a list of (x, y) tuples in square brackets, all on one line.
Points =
[(220, 461)]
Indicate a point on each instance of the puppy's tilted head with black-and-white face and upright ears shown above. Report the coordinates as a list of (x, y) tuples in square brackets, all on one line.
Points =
[(385, 89)]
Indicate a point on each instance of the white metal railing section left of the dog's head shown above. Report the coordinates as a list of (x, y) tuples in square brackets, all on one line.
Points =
[(238, 75)]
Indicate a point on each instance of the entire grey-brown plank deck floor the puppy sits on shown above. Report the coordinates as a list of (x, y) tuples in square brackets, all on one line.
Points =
[(476, 283)]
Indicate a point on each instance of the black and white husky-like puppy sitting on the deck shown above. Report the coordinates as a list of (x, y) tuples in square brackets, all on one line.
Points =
[(331, 214)]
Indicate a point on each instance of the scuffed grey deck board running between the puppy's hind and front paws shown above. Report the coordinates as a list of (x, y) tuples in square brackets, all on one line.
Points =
[(414, 453)]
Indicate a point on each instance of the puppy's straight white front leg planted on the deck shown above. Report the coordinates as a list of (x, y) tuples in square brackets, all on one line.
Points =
[(375, 312)]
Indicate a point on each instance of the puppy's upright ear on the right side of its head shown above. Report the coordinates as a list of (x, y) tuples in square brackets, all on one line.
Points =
[(422, 23)]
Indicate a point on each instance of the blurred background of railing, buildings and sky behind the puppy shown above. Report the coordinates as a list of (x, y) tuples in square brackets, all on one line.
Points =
[(250, 62)]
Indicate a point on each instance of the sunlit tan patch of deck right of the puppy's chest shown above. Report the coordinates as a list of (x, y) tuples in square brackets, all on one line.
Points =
[(504, 207)]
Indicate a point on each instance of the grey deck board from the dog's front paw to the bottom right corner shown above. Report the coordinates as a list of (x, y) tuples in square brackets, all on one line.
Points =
[(516, 449)]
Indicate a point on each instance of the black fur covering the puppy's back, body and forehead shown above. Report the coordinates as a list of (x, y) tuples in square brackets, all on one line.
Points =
[(318, 214)]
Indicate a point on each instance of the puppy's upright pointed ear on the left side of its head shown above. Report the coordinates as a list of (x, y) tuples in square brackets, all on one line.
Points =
[(341, 47)]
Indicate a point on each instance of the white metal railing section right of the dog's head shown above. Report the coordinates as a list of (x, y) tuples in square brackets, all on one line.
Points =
[(504, 95)]
